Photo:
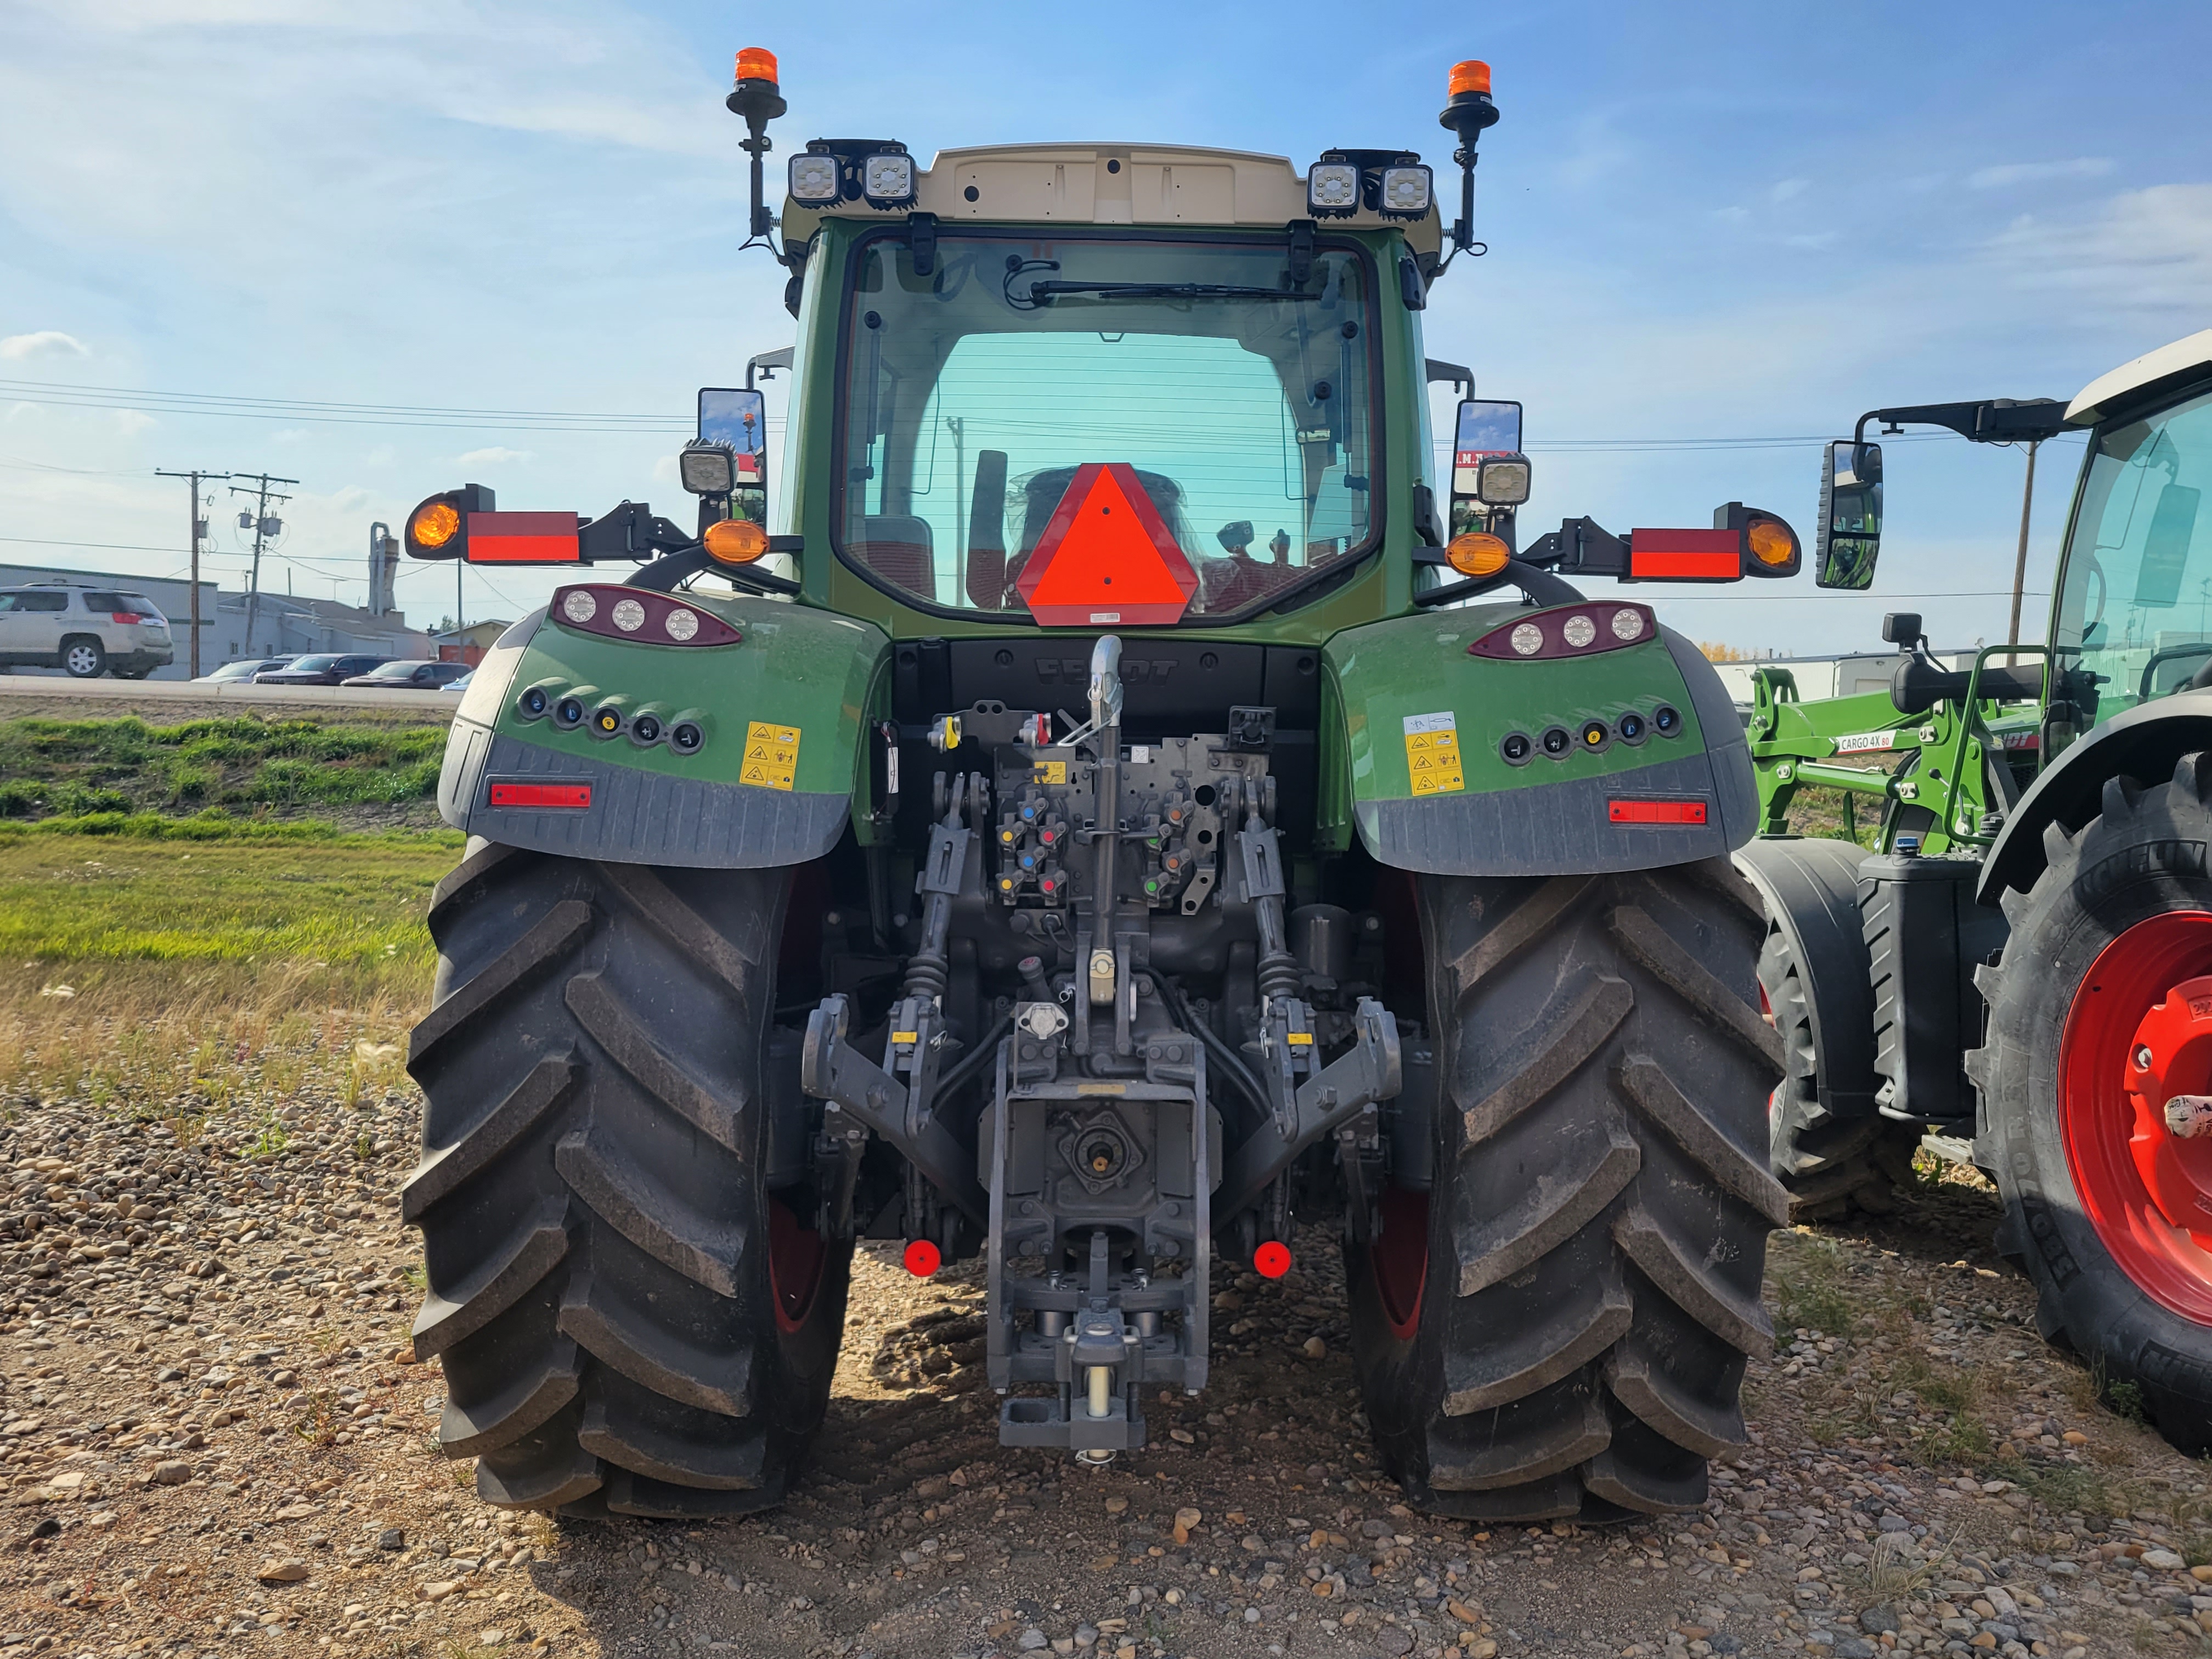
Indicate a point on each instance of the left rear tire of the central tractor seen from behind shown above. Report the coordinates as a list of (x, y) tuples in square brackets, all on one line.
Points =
[(627, 1317)]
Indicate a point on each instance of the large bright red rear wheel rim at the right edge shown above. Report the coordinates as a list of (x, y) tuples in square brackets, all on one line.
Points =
[(2138, 1036)]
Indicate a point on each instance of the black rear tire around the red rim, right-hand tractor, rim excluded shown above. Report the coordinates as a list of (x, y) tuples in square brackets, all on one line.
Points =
[(2118, 877)]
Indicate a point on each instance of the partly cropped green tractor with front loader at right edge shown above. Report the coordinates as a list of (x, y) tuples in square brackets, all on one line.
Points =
[(2023, 966)]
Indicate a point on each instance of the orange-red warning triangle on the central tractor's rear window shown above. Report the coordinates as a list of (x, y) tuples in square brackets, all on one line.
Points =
[(1107, 559)]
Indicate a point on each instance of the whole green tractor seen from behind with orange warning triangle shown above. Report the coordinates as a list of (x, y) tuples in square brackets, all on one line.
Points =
[(1092, 817)]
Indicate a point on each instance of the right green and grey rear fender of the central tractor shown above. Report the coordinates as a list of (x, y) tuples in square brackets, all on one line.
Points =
[(1404, 700)]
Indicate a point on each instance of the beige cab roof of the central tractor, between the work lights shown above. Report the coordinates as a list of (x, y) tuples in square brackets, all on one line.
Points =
[(1109, 185)]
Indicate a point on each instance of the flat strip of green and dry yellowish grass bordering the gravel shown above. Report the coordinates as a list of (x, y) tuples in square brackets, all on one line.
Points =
[(211, 974)]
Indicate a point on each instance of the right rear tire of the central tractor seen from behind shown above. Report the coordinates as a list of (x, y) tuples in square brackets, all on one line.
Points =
[(1558, 1326)]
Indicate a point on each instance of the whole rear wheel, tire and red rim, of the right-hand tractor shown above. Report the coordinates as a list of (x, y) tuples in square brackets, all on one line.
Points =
[(2096, 1050)]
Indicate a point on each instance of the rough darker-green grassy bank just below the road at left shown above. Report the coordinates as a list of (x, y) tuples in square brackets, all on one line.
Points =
[(76, 769)]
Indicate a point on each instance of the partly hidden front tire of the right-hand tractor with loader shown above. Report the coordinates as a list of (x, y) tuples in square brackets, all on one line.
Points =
[(1828, 1165)]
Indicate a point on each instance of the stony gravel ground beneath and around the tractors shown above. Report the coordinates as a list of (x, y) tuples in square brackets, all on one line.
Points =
[(216, 1443)]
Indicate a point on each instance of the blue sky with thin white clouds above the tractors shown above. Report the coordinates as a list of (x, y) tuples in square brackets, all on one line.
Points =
[(1718, 222)]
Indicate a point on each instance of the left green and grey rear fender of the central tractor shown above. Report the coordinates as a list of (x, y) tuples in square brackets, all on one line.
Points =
[(771, 784)]
